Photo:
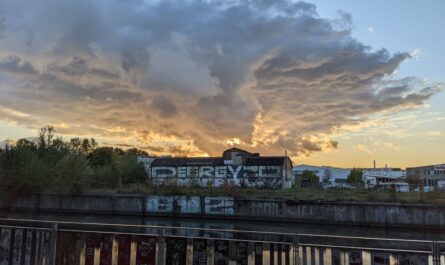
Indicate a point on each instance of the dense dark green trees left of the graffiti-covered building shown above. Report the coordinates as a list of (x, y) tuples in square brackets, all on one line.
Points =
[(50, 164)]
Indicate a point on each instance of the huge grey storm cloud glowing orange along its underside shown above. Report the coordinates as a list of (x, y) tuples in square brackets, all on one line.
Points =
[(267, 74)]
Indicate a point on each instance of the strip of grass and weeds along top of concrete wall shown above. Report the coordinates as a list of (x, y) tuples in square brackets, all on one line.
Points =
[(296, 194)]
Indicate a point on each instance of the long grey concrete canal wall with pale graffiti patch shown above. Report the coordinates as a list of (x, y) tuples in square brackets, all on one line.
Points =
[(364, 214)]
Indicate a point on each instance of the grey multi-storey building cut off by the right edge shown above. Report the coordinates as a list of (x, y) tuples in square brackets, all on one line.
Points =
[(432, 176)]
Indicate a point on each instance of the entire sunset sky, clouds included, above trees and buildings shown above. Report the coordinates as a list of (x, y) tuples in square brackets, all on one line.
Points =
[(339, 83)]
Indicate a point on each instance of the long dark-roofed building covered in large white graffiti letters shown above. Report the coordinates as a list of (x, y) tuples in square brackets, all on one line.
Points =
[(236, 167)]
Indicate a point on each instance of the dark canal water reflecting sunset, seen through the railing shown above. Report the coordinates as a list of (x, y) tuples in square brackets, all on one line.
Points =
[(65, 239)]
